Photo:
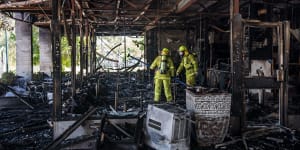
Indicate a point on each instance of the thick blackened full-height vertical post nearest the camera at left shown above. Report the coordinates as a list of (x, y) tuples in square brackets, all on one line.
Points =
[(56, 53)]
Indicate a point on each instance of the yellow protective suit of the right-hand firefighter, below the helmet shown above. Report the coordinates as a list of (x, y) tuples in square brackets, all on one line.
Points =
[(190, 65)]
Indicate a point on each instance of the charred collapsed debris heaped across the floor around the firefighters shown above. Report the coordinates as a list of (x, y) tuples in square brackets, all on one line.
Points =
[(30, 129)]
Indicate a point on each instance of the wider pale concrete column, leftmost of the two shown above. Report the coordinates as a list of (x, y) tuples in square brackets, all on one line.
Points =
[(24, 49)]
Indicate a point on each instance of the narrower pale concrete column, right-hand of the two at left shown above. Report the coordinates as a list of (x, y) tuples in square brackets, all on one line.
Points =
[(45, 51)]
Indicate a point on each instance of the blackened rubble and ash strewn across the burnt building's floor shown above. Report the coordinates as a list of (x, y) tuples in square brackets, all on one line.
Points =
[(122, 96)]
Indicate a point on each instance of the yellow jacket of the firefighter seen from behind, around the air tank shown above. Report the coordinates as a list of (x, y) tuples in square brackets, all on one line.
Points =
[(155, 65)]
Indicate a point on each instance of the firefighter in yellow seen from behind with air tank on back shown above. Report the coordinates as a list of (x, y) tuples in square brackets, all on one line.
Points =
[(164, 71)]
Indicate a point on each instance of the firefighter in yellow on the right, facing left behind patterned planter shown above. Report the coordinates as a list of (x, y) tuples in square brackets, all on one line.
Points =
[(190, 65)]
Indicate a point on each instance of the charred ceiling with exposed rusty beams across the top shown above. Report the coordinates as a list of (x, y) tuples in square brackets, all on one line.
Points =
[(133, 17)]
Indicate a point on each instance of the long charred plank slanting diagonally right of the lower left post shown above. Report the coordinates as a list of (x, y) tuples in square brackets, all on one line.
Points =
[(70, 130)]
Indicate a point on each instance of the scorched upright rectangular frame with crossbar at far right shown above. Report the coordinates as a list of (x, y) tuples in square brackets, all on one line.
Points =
[(281, 82)]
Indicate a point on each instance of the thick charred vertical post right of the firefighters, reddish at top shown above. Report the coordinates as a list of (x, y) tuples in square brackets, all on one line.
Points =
[(236, 47)]
